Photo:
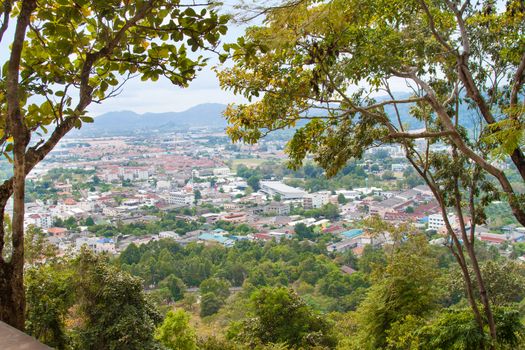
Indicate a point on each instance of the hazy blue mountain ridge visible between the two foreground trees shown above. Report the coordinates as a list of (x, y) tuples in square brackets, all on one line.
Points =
[(128, 122)]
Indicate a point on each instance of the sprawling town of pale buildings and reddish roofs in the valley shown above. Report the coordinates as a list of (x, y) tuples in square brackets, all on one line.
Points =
[(196, 186)]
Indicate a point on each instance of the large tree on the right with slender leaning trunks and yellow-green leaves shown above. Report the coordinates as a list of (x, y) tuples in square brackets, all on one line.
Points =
[(464, 65)]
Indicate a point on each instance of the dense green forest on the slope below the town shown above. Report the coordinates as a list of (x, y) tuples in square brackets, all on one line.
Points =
[(287, 295)]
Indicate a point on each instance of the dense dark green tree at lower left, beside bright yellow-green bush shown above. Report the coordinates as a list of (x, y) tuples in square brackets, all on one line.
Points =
[(113, 307)]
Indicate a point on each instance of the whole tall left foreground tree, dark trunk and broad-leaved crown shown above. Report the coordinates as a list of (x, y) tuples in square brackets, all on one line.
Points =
[(64, 56)]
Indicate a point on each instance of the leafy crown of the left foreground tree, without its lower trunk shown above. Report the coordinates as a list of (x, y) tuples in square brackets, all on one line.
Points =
[(76, 53)]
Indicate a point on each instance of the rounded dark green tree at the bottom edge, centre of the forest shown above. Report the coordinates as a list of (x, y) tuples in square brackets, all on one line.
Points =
[(281, 316)]
